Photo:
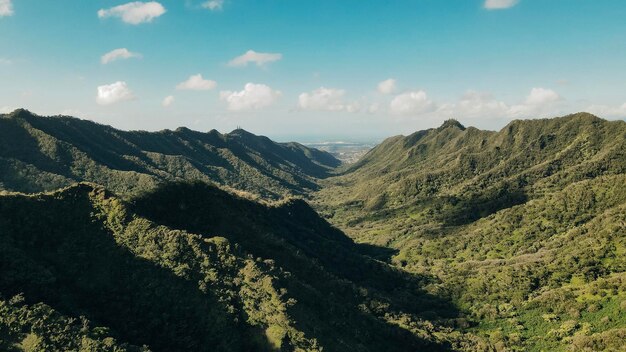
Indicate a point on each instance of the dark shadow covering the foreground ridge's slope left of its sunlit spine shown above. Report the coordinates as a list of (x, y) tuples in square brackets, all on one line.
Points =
[(53, 251)]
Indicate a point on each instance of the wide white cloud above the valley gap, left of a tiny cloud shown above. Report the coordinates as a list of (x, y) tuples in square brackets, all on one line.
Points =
[(326, 99)]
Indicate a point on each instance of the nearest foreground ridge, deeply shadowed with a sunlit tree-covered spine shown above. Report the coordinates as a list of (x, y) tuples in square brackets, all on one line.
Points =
[(189, 267)]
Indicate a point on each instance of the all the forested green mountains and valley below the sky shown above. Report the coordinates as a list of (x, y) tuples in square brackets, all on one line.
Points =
[(451, 238)]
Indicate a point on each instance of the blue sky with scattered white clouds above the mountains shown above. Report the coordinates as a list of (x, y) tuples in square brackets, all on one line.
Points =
[(312, 70)]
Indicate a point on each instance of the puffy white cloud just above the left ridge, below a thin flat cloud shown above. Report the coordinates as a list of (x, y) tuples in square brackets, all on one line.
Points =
[(252, 97)]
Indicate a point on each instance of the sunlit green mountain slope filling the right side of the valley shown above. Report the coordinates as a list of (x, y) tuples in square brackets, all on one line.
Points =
[(524, 228)]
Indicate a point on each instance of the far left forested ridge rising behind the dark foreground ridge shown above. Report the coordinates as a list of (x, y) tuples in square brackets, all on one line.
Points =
[(45, 153)]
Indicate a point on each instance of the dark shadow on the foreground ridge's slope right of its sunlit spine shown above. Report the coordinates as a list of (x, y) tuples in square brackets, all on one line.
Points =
[(330, 278)]
